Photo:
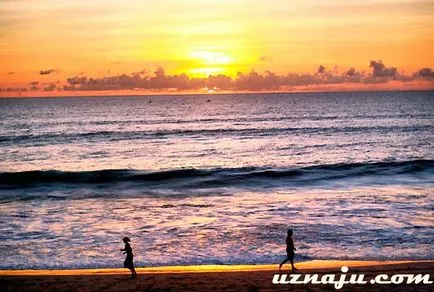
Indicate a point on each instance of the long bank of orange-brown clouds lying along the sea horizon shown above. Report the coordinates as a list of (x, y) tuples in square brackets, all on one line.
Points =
[(159, 80)]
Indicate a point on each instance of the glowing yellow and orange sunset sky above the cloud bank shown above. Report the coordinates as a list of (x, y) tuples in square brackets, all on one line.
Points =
[(48, 41)]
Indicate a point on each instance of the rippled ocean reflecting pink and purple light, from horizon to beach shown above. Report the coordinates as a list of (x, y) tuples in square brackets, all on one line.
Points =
[(215, 179)]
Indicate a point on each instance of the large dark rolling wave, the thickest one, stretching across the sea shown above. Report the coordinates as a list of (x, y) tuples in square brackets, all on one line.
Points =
[(215, 177)]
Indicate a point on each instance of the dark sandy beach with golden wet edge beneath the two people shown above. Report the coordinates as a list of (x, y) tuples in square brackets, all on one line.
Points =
[(212, 278)]
